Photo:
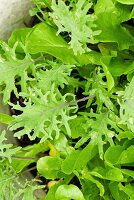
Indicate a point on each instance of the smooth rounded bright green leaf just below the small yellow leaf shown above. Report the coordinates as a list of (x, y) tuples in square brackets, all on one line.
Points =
[(49, 167)]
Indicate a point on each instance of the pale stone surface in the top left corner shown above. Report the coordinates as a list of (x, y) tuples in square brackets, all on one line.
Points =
[(12, 15)]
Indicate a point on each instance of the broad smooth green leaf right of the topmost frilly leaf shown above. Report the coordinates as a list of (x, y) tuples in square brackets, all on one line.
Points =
[(109, 19)]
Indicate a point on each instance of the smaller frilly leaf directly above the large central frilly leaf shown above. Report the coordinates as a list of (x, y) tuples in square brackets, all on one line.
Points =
[(56, 73)]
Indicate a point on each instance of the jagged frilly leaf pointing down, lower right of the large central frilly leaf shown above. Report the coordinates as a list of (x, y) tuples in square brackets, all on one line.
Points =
[(97, 127)]
